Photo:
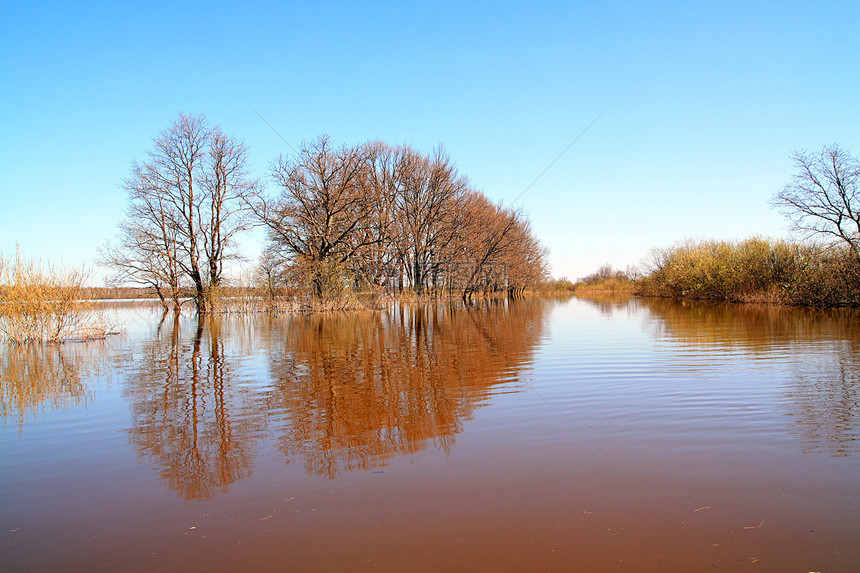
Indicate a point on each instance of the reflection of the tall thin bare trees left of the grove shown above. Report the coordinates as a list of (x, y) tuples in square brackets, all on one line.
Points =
[(190, 415)]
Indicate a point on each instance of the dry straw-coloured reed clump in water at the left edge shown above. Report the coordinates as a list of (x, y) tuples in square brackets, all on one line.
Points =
[(46, 304)]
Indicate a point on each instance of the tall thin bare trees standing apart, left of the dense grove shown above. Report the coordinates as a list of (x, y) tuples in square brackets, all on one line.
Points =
[(187, 203)]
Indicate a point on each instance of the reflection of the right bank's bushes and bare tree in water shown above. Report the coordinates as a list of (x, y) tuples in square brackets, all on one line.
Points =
[(824, 346)]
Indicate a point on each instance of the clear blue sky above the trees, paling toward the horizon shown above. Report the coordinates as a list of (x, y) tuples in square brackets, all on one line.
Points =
[(704, 102)]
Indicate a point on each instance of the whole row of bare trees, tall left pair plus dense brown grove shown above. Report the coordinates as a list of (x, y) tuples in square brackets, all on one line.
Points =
[(371, 216)]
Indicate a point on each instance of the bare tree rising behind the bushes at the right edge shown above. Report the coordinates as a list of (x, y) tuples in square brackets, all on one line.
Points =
[(822, 197)]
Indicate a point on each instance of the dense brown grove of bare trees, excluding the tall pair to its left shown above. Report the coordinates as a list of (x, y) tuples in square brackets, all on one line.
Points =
[(389, 217)]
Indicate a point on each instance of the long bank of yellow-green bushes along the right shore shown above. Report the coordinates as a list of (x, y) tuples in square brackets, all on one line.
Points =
[(755, 270)]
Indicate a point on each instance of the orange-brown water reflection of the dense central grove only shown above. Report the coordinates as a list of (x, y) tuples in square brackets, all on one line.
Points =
[(357, 389)]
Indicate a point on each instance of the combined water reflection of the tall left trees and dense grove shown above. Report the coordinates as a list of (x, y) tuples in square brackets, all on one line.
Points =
[(347, 391)]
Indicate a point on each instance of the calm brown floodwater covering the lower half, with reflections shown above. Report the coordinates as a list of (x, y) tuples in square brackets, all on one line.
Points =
[(602, 434)]
